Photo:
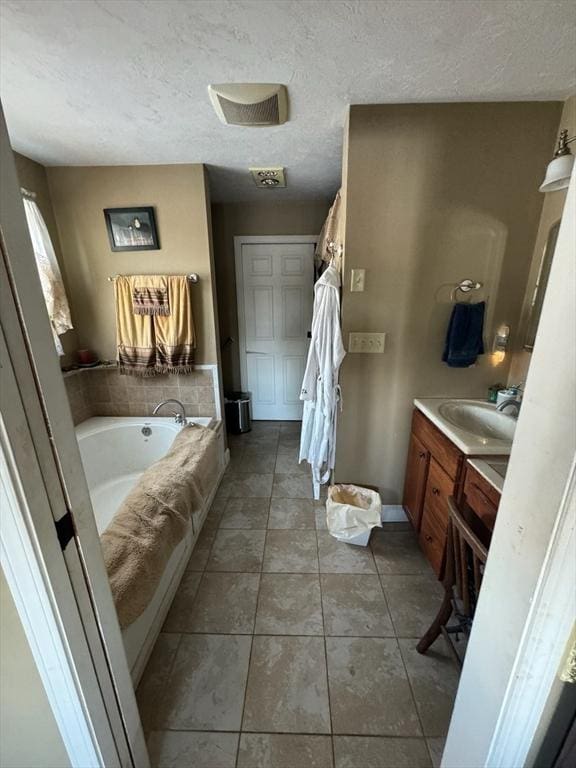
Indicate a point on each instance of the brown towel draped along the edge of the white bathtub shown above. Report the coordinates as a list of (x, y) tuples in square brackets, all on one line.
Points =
[(155, 517)]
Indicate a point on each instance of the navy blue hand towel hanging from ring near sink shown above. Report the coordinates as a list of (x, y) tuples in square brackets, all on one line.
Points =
[(464, 340)]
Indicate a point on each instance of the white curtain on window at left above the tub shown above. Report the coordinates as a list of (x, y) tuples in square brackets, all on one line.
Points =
[(50, 275)]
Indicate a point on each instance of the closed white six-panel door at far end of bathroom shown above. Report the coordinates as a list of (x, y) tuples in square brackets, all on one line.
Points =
[(275, 286)]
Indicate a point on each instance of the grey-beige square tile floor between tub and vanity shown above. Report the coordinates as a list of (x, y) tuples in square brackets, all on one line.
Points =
[(287, 649)]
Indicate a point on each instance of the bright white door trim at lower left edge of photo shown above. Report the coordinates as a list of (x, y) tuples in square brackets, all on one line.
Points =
[(51, 620)]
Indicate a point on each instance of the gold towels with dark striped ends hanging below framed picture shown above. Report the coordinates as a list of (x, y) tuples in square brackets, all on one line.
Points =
[(154, 324)]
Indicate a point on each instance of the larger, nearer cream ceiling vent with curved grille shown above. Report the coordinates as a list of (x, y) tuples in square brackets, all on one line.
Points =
[(250, 103)]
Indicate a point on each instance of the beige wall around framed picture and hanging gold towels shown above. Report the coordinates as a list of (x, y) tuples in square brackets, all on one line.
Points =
[(178, 194)]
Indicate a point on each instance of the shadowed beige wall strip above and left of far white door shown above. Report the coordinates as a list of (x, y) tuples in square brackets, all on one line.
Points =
[(266, 218)]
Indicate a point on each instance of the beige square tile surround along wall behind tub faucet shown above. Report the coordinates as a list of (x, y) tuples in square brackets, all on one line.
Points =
[(104, 392)]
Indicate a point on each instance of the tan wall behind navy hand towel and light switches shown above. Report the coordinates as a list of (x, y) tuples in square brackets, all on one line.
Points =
[(435, 193)]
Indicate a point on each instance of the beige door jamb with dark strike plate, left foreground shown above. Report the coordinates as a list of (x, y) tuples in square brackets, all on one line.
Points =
[(76, 578)]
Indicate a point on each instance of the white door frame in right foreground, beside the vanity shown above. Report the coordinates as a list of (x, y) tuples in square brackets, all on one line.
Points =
[(526, 610)]
